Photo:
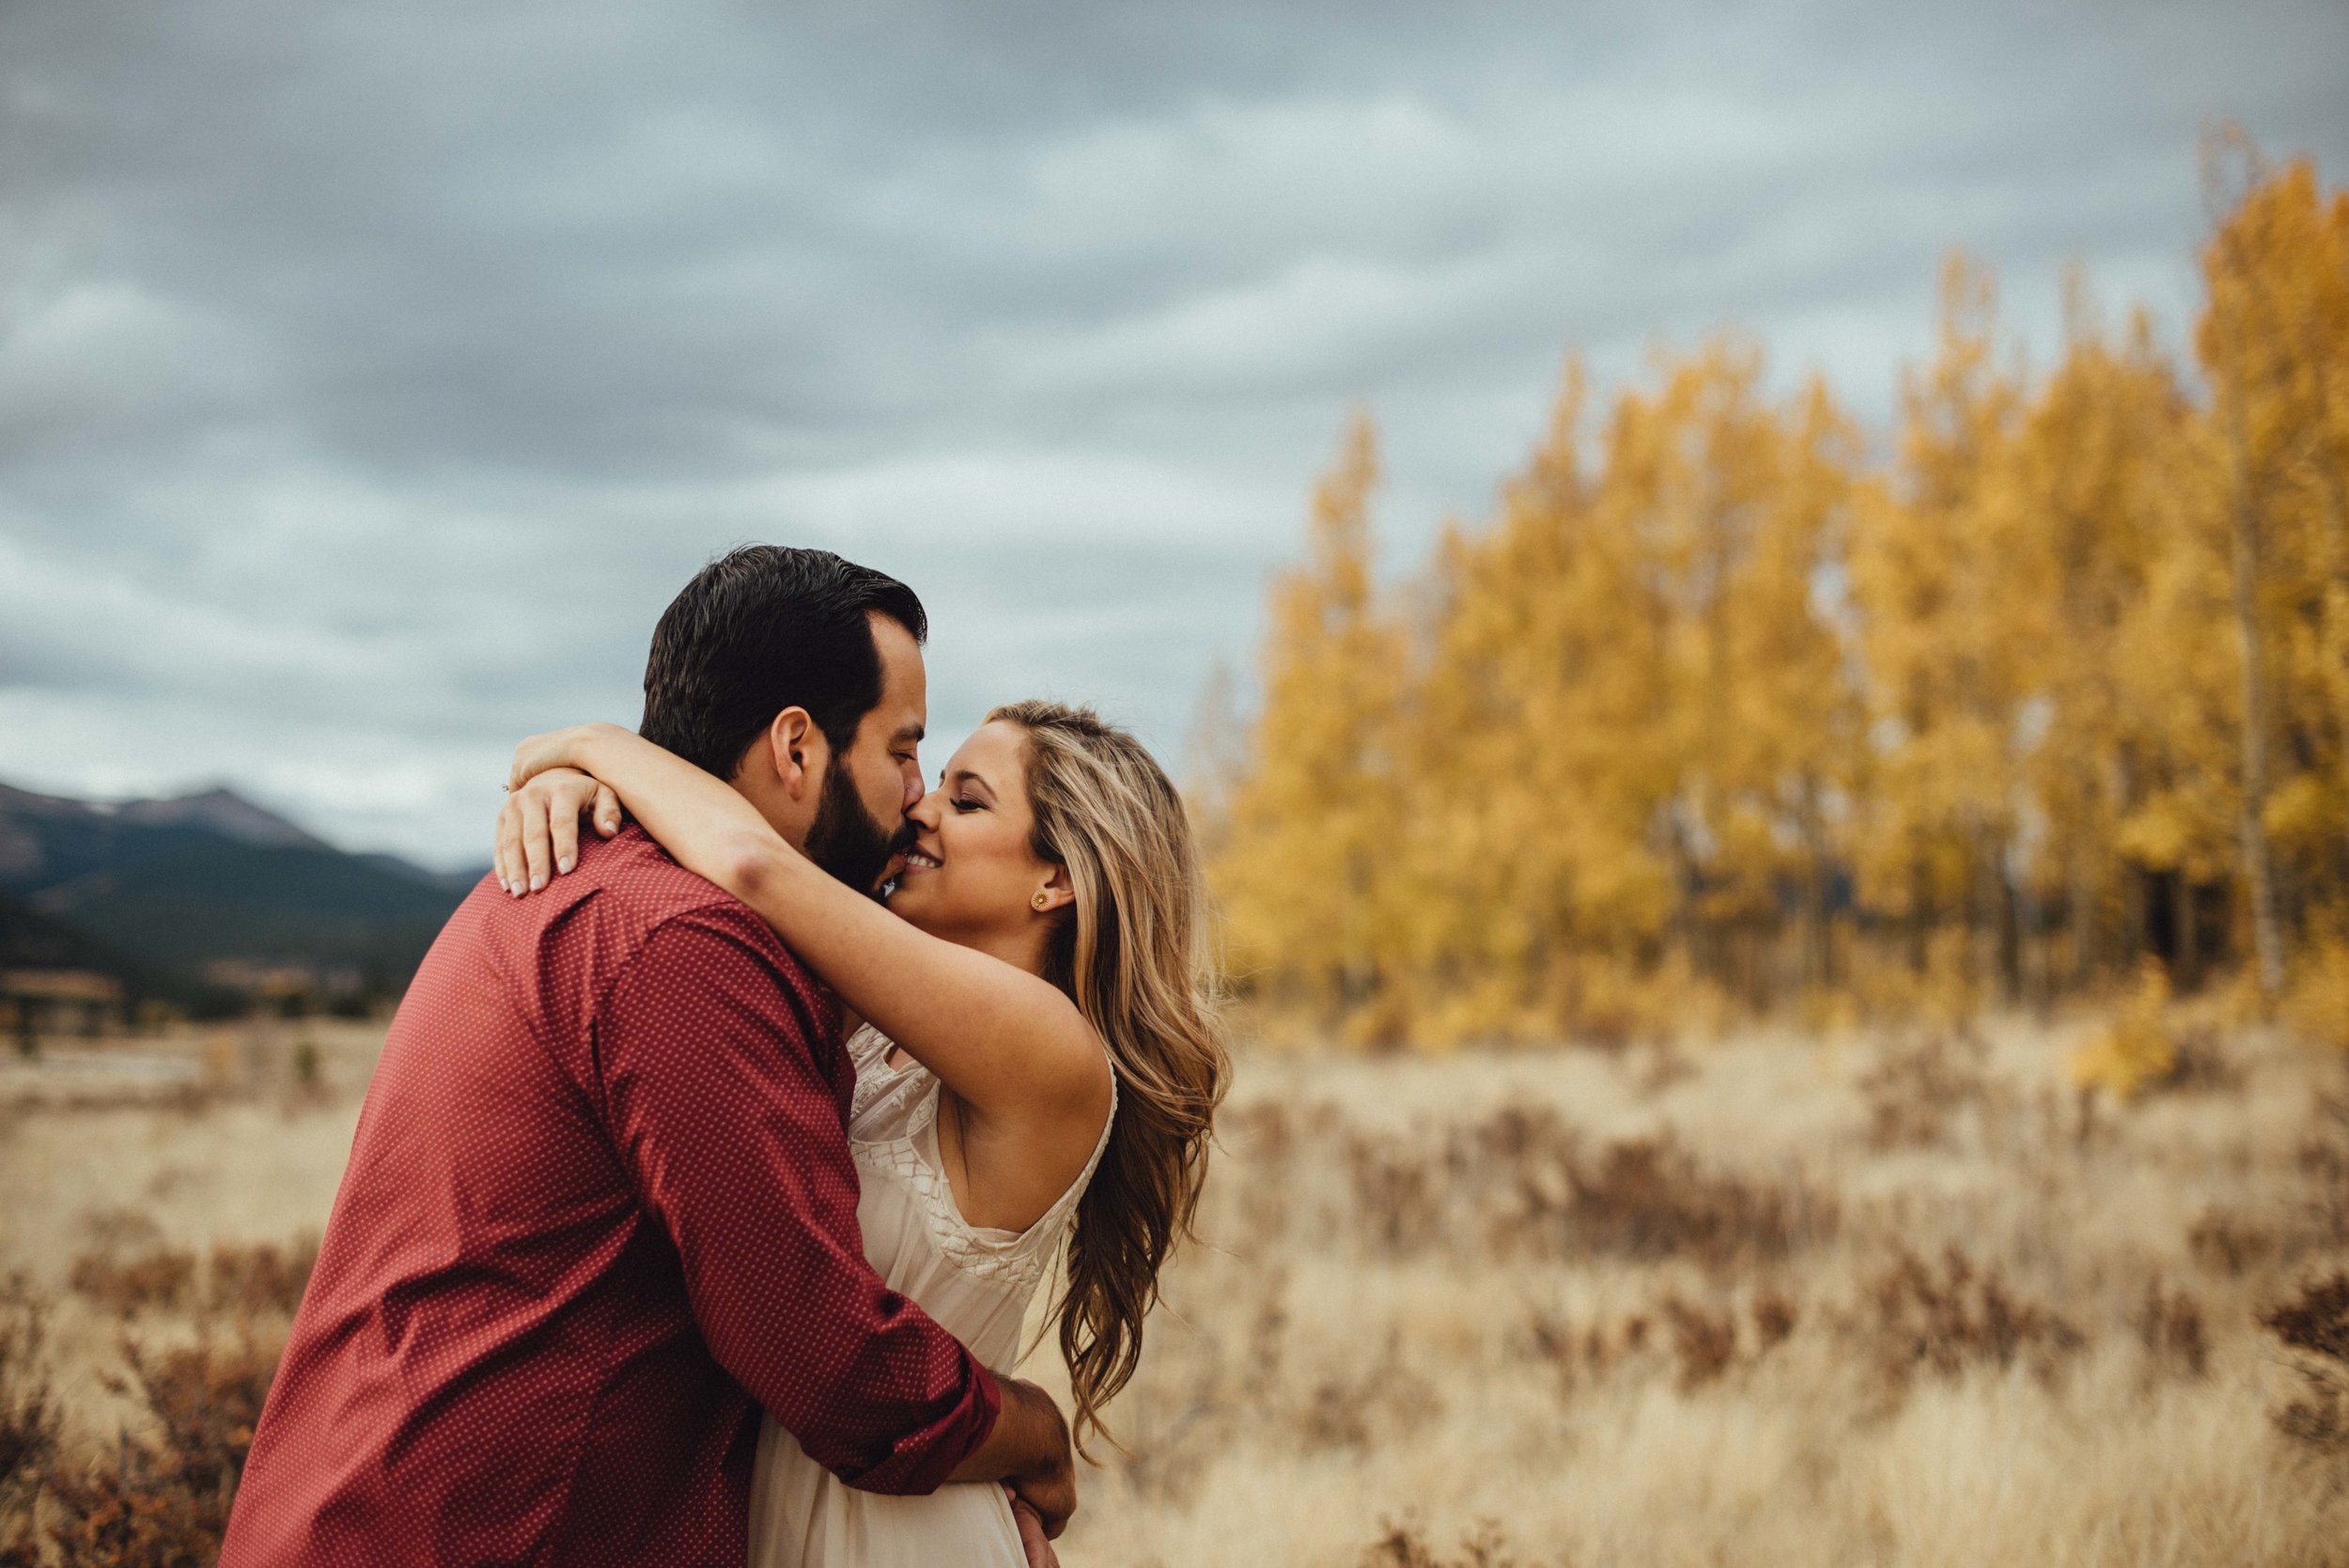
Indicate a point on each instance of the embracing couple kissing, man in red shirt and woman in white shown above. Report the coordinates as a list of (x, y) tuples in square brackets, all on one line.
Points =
[(720, 1149)]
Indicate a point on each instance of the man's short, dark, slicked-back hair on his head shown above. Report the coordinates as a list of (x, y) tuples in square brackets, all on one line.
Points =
[(760, 630)]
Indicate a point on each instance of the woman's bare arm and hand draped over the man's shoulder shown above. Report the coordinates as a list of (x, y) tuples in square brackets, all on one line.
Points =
[(1004, 1041)]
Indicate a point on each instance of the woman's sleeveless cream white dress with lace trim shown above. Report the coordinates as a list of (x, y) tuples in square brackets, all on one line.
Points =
[(974, 1280)]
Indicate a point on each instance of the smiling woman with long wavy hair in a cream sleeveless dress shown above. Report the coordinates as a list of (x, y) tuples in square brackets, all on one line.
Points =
[(1037, 1062)]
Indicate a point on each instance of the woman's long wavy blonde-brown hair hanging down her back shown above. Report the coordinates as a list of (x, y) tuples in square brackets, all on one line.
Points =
[(1133, 957)]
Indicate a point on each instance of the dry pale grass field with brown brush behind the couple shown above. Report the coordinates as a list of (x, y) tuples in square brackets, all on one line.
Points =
[(1784, 1302)]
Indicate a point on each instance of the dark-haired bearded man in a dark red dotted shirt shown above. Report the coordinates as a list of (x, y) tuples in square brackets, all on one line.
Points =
[(600, 1208)]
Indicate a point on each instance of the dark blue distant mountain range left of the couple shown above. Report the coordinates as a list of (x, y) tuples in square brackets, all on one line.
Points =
[(180, 898)]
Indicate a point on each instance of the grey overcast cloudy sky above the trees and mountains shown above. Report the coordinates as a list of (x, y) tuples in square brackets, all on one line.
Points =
[(375, 374)]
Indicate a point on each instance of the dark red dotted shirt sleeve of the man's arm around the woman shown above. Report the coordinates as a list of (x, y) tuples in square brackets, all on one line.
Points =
[(736, 1144)]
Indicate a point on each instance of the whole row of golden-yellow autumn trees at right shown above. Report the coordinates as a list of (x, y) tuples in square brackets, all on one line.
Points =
[(1718, 717)]
